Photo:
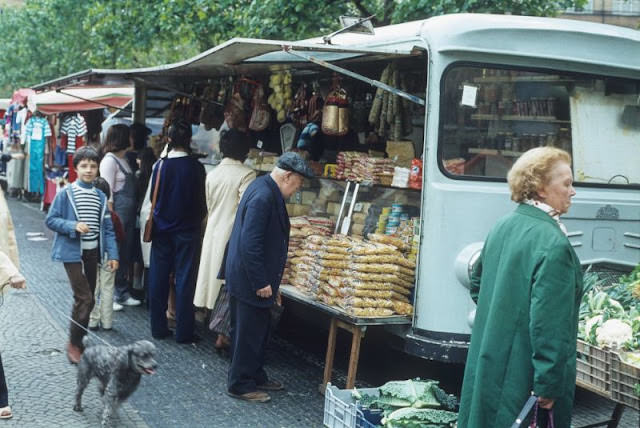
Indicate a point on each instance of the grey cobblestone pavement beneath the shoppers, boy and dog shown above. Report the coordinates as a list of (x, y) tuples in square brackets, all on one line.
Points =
[(188, 389)]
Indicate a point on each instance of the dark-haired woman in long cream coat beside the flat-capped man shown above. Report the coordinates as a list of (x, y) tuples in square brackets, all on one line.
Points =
[(225, 186)]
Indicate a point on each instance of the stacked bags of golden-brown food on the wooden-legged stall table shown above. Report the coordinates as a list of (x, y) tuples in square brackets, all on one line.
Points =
[(363, 278)]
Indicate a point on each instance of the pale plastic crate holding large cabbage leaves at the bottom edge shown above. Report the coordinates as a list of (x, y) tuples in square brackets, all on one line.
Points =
[(341, 409)]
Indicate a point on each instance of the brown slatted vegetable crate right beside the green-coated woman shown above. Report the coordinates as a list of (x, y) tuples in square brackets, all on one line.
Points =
[(593, 367)]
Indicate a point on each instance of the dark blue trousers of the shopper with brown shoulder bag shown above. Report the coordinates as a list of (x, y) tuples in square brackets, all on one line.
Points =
[(173, 252)]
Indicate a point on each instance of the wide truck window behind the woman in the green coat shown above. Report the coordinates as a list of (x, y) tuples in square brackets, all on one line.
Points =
[(489, 116)]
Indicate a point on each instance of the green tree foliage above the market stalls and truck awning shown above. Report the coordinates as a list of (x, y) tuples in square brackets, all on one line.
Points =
[(46, 39)]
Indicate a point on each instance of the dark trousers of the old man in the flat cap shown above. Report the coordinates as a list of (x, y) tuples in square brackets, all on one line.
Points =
[(249, 333)]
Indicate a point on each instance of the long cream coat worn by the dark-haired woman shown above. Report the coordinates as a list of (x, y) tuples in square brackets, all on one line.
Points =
[(225, 186)]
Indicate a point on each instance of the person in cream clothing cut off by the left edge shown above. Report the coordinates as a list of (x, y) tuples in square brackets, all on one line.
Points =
[(9, 277)]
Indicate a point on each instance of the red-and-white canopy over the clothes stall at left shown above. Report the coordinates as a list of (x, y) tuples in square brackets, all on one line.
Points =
[(81, 99)]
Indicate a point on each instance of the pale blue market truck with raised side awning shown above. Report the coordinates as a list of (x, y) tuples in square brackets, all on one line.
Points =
[(479, 90)]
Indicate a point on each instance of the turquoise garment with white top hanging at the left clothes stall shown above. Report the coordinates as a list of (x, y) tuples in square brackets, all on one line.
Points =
[(37, 131)]
